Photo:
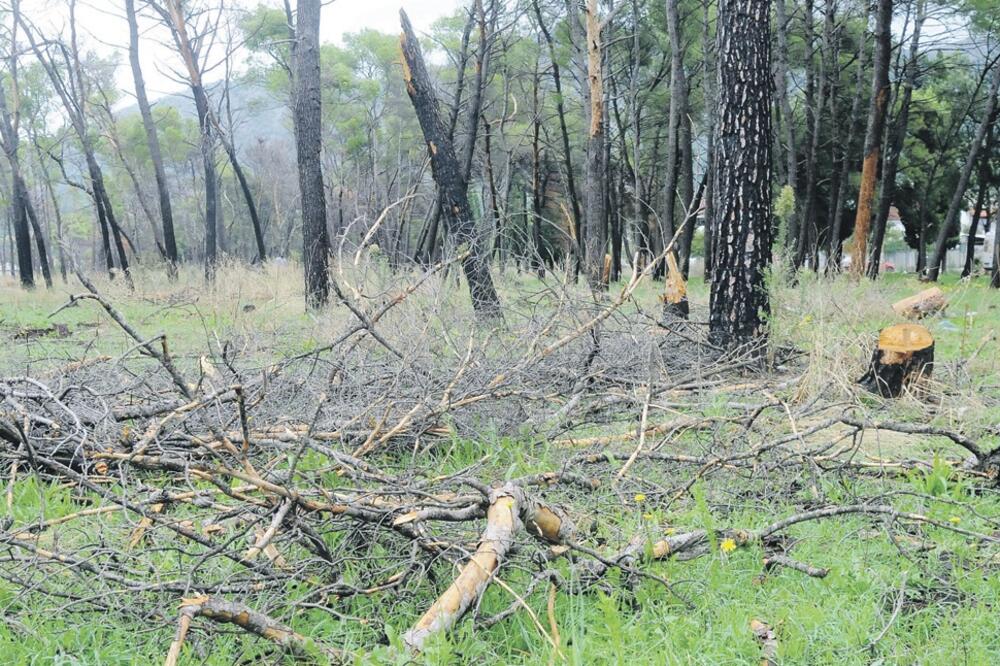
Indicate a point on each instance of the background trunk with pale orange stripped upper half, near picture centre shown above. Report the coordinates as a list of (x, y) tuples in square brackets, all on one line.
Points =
[(595, 239)]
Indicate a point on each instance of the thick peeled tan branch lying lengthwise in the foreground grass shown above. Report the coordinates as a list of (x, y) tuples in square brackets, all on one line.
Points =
[(502, 523)]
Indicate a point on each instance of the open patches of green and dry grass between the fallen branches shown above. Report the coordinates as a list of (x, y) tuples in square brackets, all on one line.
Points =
[(883, 601)]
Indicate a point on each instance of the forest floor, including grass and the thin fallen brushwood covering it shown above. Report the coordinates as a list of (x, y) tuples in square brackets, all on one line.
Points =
[(898, 590)]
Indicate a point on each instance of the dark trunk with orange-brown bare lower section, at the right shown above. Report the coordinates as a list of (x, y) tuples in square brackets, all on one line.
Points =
[(873, 135)]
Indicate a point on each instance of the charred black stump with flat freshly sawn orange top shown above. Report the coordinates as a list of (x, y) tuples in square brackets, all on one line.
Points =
[(905, 354)]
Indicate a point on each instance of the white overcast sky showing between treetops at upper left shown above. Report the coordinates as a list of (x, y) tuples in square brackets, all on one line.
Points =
[(102, 27)]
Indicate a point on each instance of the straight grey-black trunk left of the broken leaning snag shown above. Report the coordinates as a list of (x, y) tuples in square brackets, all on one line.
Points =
[(309, 145)]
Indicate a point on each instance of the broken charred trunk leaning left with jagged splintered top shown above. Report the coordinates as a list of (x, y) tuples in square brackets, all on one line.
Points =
[(447, 175)]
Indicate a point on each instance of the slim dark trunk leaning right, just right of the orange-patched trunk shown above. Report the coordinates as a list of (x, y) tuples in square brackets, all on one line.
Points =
[(896, 142)]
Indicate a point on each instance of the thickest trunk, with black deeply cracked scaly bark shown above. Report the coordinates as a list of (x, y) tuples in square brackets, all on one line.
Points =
[(739, 302)]
